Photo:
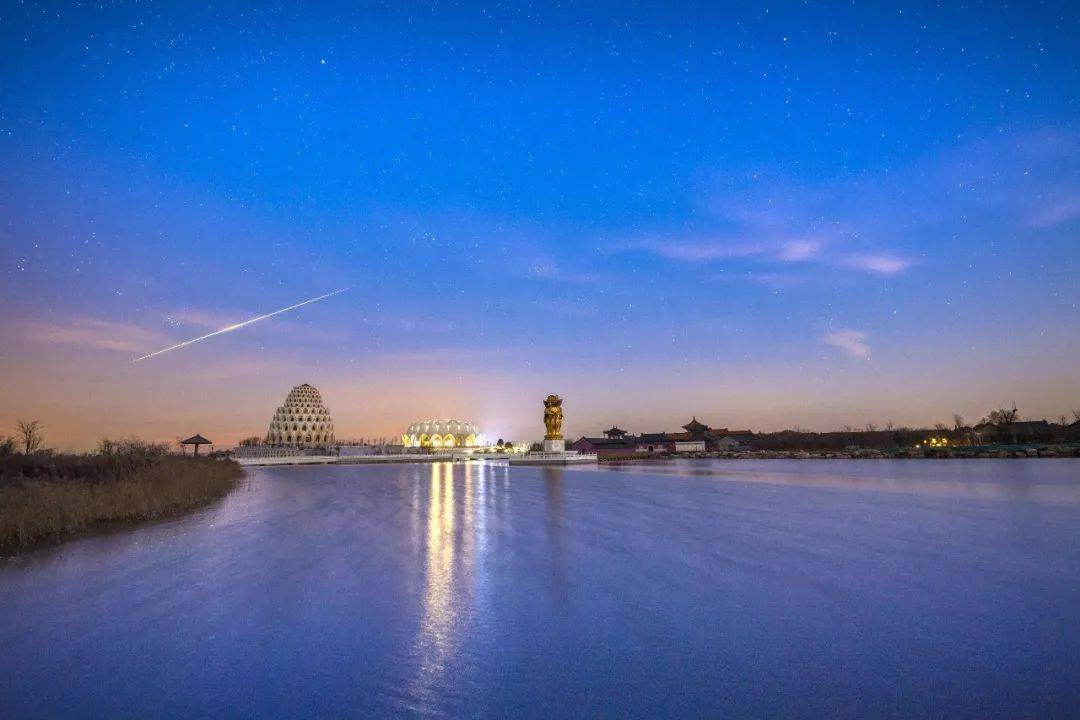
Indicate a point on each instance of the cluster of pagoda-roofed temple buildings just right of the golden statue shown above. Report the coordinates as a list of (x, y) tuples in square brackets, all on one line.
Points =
[(696, 438)]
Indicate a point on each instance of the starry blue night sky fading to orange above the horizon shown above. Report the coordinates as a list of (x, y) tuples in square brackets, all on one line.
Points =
[(793, 215)]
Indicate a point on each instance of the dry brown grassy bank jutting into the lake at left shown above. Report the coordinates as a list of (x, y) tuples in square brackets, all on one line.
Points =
[(52, 497)]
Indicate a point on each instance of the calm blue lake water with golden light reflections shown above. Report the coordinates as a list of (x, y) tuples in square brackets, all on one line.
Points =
[(699, 589)]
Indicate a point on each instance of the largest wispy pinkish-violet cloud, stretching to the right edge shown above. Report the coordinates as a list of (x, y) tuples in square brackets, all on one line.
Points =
[(879, 223)]
